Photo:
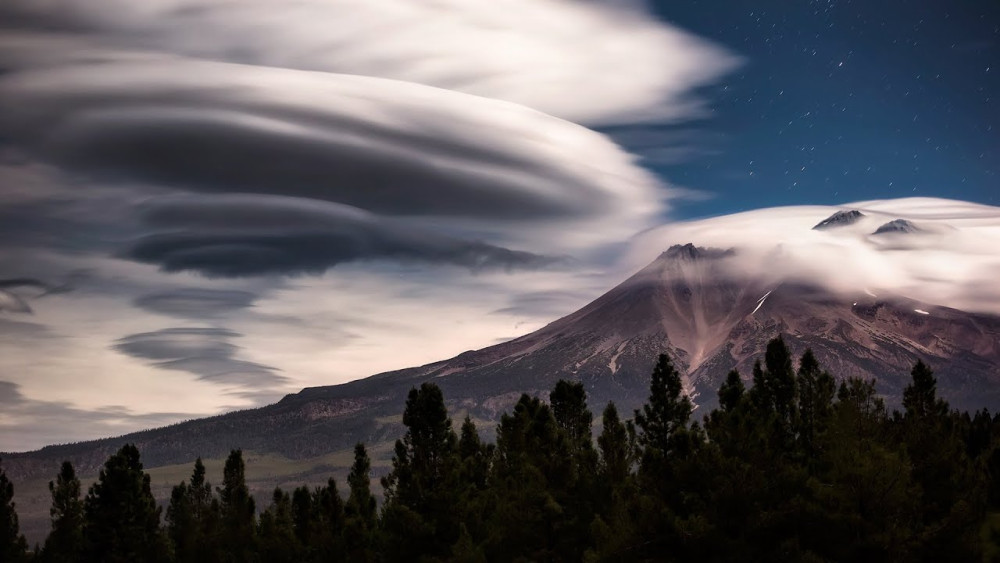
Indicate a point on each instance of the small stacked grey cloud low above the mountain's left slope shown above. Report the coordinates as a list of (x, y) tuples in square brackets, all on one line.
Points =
[(205, 352)]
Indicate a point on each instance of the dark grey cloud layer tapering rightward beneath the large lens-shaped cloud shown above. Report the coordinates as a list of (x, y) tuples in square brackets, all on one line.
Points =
[(241, 235)]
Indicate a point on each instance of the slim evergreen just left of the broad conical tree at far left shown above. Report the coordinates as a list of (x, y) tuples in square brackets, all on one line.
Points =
[(65, 540)]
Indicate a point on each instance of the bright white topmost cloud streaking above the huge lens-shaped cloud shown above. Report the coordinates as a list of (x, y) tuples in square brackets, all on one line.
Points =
[(595, 62)]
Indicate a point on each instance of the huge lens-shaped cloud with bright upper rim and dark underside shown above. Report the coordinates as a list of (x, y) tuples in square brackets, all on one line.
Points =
[(385, 146)]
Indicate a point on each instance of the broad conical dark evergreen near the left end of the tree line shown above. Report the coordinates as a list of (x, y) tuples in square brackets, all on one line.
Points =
[(122, 519)]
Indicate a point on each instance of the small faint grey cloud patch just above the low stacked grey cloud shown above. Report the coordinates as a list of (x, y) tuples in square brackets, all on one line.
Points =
[(195, 302)]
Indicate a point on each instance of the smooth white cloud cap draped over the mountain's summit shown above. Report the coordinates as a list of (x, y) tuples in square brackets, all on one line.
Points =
[(951, 261)]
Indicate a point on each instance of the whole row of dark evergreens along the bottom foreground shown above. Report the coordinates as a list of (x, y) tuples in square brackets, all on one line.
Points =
[(793, 468)]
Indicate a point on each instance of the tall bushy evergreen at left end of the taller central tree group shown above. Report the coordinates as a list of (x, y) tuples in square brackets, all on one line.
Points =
[(418, 517)]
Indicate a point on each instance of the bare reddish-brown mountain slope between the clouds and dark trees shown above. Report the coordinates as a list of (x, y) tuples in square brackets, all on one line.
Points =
[(690, 302)]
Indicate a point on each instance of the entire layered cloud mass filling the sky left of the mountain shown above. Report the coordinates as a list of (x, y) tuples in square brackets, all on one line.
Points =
[(318, 182)]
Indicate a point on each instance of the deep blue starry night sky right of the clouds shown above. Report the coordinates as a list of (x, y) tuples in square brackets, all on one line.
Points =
[(842, 101)]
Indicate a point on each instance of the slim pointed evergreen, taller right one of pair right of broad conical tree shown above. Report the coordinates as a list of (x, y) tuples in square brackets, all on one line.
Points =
[(237, 511)]
